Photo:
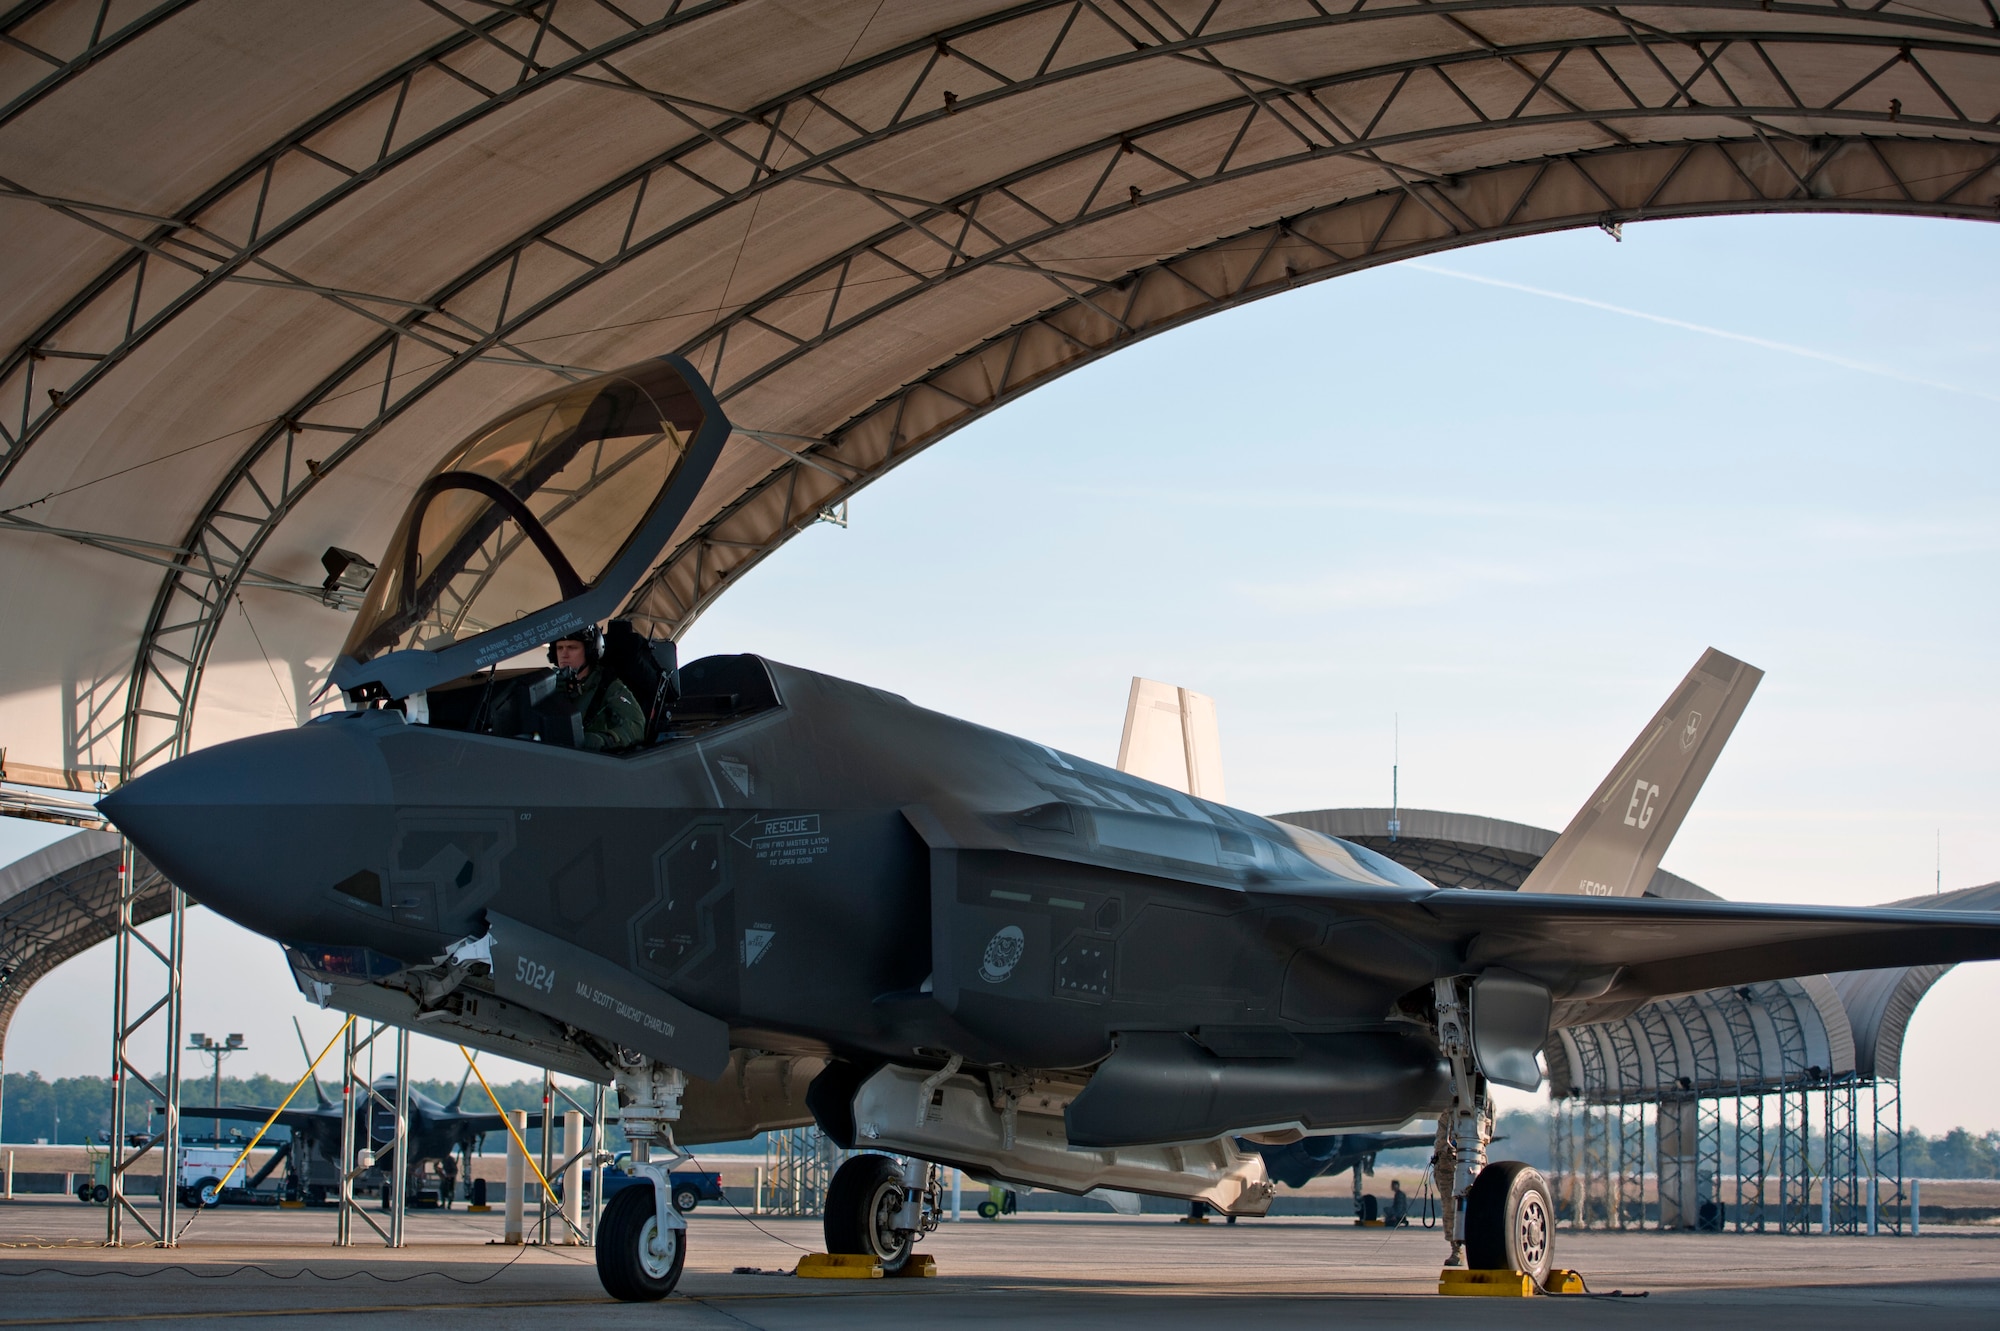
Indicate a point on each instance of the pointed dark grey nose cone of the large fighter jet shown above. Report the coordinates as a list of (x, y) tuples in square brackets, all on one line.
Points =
[(261, 828)]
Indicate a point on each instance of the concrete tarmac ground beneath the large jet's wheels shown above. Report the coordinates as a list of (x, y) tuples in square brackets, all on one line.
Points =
[(275, 1268)]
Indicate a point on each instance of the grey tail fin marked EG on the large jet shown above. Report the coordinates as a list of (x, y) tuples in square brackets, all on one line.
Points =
[(1615, 842)]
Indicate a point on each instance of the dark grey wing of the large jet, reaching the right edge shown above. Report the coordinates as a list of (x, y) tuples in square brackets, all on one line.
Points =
[(1607, 956)]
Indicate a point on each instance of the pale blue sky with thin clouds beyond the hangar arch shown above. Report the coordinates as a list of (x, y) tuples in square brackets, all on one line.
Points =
[(1473, 515)]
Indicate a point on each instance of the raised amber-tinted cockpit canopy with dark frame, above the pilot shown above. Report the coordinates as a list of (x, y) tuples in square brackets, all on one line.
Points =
[(537, 525)]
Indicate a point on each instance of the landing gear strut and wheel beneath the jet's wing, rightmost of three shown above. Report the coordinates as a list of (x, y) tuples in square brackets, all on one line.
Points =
[(1501, 1216)]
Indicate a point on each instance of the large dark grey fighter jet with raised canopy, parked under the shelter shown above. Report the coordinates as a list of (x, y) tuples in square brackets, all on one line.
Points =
[(993, 954)]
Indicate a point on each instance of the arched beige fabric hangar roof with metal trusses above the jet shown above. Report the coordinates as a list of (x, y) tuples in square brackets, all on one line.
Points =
[(265, 269)]
